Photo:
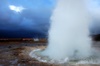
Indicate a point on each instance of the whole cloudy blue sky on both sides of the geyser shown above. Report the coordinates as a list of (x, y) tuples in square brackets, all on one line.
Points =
[(31, 18)]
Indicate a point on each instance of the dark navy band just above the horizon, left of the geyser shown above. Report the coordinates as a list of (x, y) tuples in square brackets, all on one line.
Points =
[(21, 34)]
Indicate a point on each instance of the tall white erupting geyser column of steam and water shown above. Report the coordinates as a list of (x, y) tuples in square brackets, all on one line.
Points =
[(69, 34)]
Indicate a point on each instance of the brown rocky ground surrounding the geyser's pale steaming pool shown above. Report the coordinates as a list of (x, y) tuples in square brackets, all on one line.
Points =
[(18, 55)]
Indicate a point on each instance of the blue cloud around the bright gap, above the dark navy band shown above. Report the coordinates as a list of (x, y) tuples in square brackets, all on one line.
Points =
[(34, 17)]
